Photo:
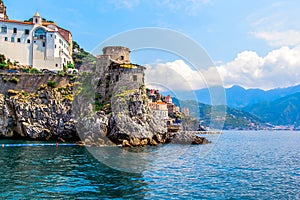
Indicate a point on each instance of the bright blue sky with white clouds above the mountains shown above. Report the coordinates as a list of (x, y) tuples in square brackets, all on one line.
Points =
[(252, 43)]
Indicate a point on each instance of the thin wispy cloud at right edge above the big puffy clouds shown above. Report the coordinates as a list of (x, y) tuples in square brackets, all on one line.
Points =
[(279, 38)]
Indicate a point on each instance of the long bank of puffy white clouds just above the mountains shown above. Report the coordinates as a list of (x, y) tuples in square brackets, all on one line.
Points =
[(279, 68)]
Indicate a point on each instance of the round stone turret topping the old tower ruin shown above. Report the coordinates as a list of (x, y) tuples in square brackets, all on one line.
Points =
[(117, 53)]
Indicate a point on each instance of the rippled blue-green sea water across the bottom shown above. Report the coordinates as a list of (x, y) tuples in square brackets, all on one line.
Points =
[(247, 165)]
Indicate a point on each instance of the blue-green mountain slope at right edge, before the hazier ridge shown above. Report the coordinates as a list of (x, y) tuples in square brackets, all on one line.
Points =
[(283, 111)]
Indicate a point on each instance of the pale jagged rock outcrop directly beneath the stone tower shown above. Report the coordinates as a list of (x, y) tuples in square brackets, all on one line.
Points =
[(131, 119)]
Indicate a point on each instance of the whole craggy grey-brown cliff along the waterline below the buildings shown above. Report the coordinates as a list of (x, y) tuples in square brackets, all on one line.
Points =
[(49, 114)]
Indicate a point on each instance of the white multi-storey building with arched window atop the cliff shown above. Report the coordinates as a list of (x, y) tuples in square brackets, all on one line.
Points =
[(36, 43)]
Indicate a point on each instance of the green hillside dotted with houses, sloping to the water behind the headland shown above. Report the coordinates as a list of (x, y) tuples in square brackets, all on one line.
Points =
[(234, 119)]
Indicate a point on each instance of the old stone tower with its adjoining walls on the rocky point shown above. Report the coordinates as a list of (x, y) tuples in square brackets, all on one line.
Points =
[(115, 71)]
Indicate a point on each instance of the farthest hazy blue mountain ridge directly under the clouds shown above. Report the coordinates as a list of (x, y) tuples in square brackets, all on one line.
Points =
[(238, 97)]
